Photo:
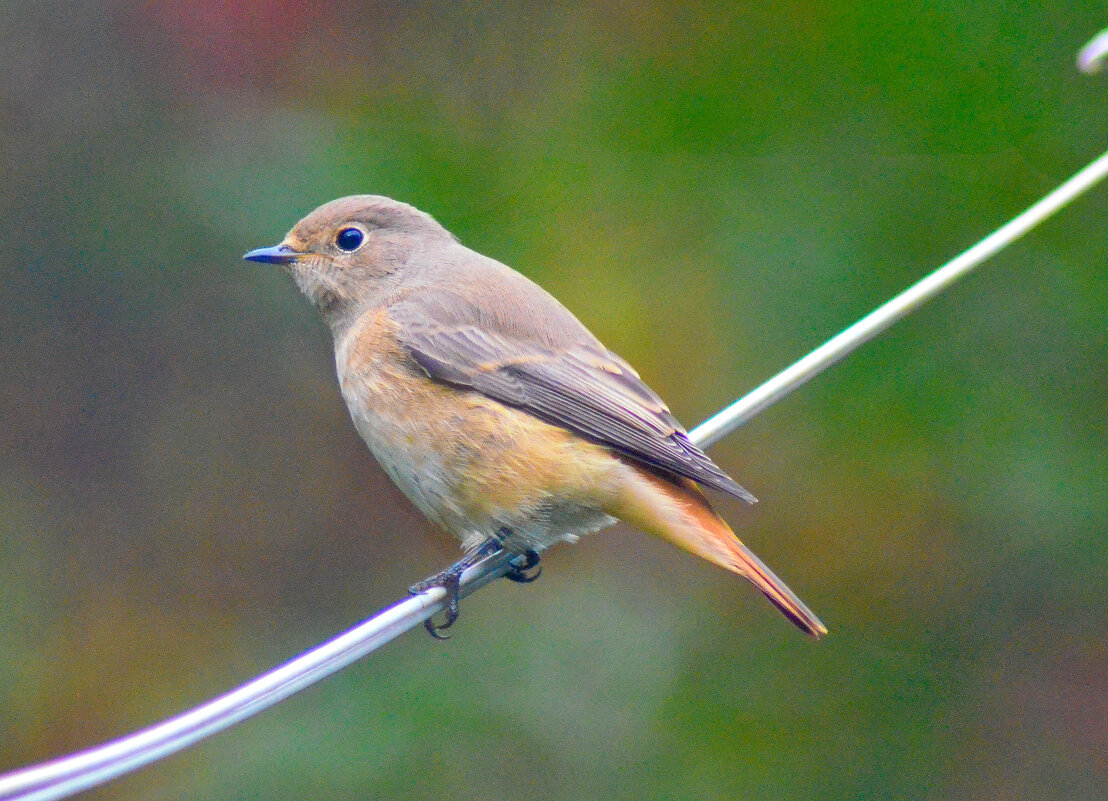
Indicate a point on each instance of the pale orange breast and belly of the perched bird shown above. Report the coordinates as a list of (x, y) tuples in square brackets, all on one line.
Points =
[(470, 464)]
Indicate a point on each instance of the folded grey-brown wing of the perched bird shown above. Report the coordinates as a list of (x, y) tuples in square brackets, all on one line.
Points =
[(579, 386)]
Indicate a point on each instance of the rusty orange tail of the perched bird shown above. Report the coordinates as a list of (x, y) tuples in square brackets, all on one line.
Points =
[(678, 511)]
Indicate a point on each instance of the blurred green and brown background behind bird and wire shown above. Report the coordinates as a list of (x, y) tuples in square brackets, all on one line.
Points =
[(714, 191)]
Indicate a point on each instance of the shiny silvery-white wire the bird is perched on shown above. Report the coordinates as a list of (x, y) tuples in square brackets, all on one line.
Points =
[(80, 772)]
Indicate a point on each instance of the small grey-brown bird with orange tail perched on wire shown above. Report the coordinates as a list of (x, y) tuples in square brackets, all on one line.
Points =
[(493, 407)]
